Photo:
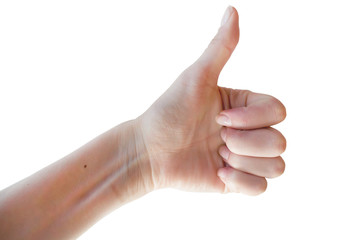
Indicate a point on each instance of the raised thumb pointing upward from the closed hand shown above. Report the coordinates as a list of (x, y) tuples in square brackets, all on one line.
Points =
[(221, 47)]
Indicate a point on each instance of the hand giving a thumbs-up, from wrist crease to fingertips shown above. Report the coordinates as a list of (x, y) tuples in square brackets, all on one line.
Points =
[(185, 129)]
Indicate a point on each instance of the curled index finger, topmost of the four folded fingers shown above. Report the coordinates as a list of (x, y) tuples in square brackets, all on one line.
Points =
[(250, 110)]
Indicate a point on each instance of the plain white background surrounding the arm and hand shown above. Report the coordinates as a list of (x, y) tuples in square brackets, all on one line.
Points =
[(70, 70)]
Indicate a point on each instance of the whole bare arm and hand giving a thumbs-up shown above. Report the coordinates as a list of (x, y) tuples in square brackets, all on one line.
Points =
[(196, 137)]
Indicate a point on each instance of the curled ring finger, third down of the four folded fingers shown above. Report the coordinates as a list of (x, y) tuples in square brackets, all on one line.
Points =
[(263, 167)]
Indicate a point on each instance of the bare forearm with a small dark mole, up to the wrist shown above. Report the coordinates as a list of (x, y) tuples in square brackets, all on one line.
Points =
[(64, 199)]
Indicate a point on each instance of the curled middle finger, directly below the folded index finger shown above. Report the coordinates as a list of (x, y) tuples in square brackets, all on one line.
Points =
[(263, 142)]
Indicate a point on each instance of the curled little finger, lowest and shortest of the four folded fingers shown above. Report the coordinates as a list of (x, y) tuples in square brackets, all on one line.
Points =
[(241, 182)]
